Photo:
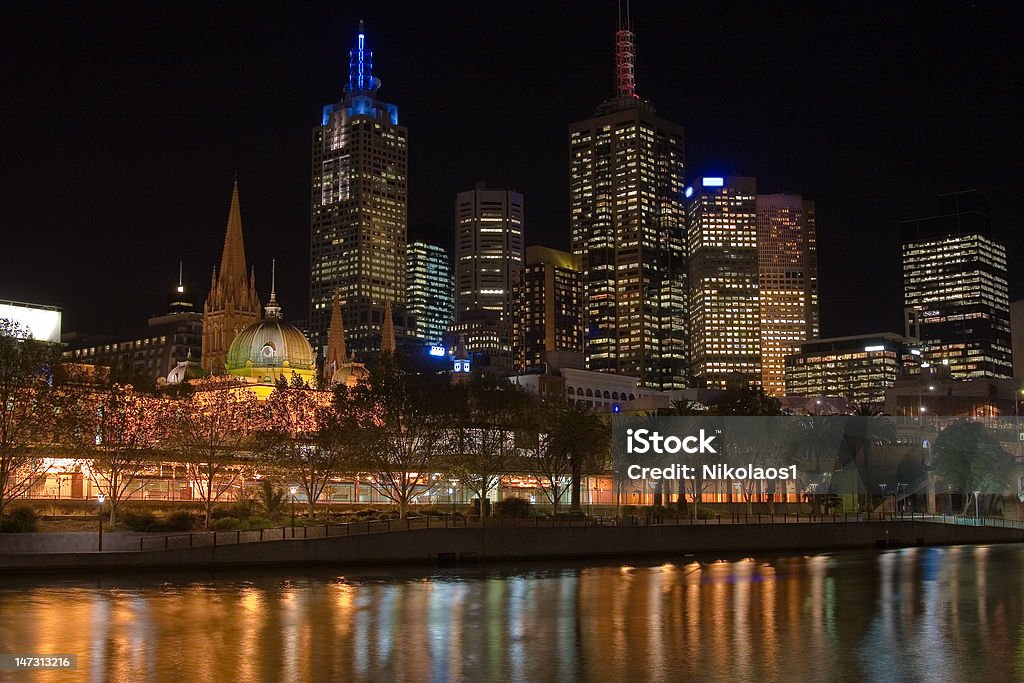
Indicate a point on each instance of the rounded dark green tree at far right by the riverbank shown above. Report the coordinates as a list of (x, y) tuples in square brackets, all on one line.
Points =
[(969, 458)]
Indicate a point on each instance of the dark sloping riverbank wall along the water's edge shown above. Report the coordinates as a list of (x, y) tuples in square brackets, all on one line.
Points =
[(433, 546)]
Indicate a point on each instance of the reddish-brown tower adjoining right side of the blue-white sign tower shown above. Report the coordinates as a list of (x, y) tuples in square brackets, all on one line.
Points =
[(788, 274)]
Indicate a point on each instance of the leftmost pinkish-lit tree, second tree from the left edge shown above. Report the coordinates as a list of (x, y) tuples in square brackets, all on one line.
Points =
[(124, 432)]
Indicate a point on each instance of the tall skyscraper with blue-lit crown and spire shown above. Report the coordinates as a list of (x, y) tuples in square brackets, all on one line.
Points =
[(359, 200)]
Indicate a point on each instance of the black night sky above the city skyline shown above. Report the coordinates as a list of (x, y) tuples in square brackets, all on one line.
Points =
[(123, 126)]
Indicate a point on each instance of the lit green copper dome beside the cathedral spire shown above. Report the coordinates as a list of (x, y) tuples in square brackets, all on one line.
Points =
[(271, 344)]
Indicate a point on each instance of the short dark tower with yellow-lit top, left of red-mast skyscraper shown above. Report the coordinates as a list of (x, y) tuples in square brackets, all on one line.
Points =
[(549, 311)]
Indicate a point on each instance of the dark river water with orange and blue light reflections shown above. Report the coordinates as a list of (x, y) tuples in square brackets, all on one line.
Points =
[(913, 615)]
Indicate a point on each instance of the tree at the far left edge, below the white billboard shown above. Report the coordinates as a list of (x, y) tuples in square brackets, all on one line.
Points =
[(30, 409)]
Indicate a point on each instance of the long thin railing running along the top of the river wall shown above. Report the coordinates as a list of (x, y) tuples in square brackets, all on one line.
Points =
[(287, 533)]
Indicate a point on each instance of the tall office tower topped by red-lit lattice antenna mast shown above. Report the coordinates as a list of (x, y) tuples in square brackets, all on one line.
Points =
[(628, 229)]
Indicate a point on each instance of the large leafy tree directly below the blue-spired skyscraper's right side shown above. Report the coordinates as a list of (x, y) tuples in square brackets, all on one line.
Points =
[(400, 421)]
